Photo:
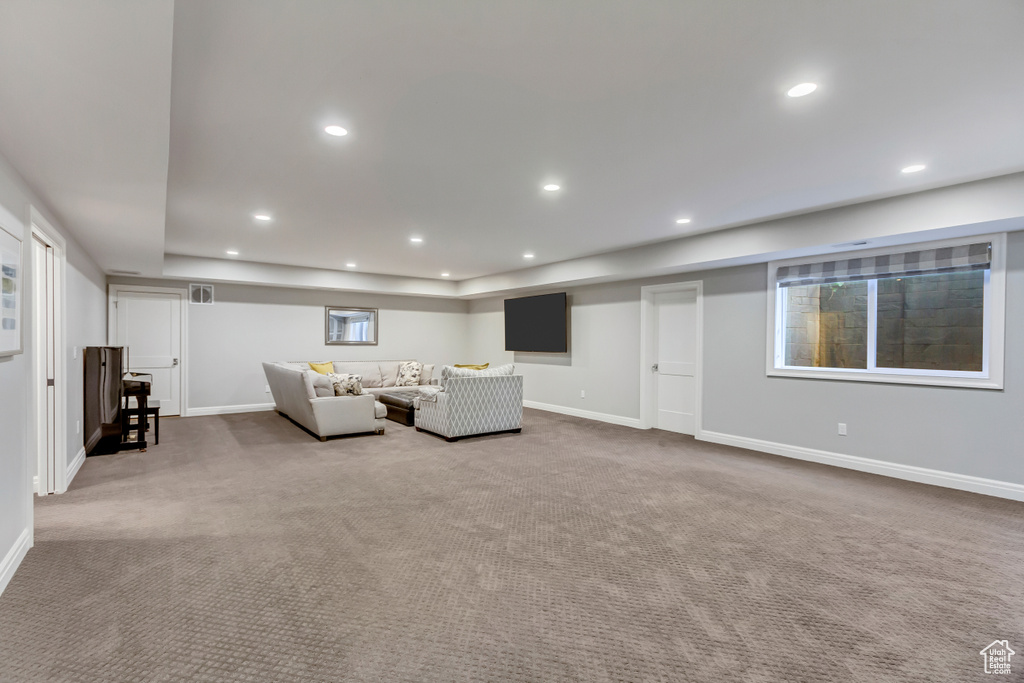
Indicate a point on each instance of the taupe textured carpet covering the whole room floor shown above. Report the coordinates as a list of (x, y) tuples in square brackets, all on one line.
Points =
[(243, 549)]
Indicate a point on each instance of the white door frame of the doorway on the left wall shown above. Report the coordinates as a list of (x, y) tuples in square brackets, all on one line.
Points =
[(41, 228)]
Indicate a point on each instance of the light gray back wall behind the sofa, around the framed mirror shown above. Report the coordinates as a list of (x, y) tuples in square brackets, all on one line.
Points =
[(229, 341)]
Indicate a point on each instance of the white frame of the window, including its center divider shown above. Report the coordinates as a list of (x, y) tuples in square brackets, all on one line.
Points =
[(993, 335)]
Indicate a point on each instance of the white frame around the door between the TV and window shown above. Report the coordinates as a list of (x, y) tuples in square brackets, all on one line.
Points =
[(648, 338)]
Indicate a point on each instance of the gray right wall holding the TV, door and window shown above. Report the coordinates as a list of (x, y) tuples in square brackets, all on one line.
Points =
[(968, 432)]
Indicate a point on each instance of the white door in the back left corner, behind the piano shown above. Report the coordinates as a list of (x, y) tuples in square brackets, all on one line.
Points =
[(149, 324)]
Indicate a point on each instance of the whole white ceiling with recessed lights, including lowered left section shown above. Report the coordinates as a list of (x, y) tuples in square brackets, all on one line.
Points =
[(459, 112)]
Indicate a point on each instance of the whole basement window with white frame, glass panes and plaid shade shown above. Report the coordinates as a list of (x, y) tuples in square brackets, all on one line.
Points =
[(930, 314)]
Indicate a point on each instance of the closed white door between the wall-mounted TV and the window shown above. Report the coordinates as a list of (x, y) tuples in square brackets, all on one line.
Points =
[(676, 366)]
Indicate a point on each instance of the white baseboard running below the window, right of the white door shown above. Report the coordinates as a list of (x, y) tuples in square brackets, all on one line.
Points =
[(1014, 492)]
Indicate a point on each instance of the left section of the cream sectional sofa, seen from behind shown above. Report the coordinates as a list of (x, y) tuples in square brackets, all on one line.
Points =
[(295, 399)]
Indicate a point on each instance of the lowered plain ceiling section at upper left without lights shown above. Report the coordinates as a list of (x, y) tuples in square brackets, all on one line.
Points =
[(84, 117)]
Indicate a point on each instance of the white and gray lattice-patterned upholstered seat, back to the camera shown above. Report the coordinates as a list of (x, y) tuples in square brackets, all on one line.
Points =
[(470, 403)]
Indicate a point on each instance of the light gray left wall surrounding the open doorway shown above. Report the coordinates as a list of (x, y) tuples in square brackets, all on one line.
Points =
[(87, 323)]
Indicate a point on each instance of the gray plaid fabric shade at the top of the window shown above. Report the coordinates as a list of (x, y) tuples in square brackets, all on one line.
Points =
[(946, 260)]
